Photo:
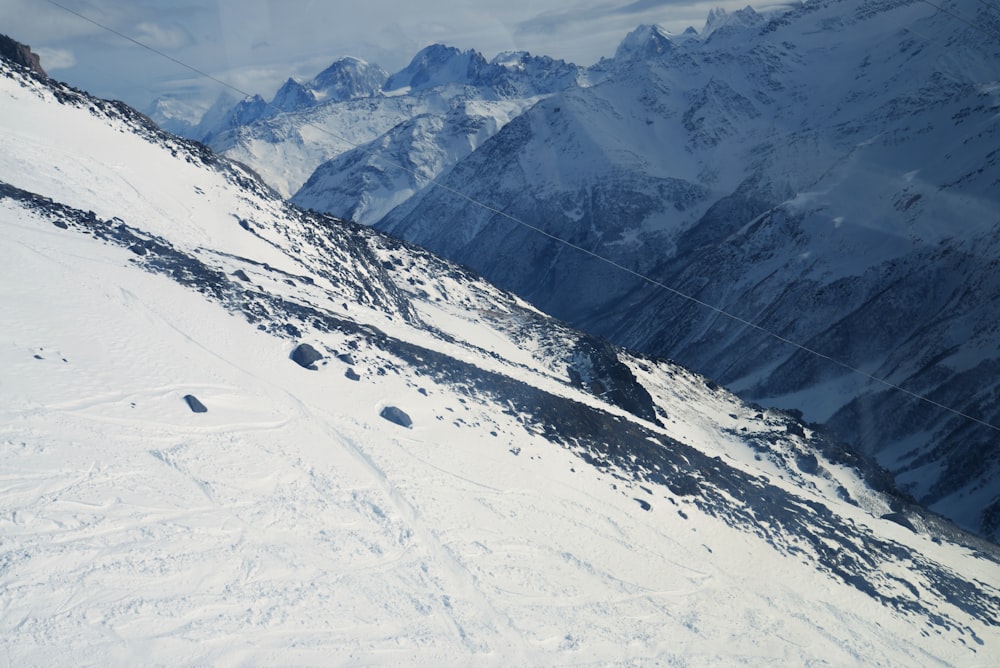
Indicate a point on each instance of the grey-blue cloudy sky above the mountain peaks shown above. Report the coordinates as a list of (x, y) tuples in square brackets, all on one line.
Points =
[(255, 45)]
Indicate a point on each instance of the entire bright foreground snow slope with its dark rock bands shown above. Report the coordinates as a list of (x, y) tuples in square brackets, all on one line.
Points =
[(238, 432)]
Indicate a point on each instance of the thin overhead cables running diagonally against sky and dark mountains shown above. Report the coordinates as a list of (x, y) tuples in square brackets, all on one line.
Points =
[(642, 277)]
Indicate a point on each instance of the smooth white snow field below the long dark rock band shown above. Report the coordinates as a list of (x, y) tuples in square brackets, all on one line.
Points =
[(290, 524)]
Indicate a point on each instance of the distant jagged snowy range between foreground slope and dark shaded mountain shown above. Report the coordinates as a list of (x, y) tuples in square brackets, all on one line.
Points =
[(452, 99)]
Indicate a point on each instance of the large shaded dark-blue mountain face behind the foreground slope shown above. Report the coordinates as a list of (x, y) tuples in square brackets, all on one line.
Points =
[(828, 173)]
